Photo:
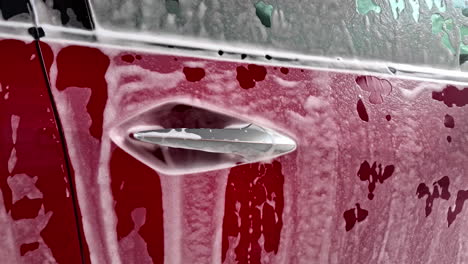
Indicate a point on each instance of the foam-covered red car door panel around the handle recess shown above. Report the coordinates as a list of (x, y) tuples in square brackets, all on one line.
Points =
[(352, 192)]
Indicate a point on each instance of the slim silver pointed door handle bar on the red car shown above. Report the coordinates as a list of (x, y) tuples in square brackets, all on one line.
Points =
[(249, 141)]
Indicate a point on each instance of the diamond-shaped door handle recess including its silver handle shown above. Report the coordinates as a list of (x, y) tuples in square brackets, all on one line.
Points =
[(179, 138)]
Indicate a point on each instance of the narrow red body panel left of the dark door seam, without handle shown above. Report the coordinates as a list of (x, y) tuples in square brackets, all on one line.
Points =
[(36, 209)]
